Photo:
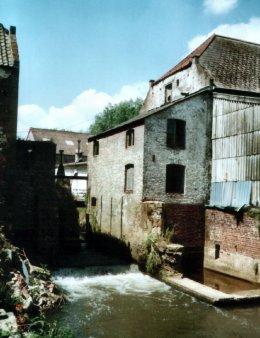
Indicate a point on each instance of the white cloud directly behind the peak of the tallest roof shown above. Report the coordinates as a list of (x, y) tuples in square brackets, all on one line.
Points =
[(245, 31)]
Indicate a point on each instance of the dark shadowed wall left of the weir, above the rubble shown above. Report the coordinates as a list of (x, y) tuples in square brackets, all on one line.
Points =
[(35, 211)]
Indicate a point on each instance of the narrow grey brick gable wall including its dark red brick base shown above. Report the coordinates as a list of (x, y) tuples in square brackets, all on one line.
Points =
[(183, 213)]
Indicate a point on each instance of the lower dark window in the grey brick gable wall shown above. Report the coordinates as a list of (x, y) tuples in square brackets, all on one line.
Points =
[(175, 174)]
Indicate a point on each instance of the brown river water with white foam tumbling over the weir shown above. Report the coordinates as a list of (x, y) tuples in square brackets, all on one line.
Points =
[(121, 302)]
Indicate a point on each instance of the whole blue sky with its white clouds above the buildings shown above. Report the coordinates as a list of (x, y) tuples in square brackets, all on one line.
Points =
[(76, 56)]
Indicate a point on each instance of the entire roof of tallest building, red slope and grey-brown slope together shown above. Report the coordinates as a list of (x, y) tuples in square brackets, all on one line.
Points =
[(231, 63)]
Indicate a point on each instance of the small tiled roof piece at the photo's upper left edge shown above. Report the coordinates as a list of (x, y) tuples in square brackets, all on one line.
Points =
[(9, 56)]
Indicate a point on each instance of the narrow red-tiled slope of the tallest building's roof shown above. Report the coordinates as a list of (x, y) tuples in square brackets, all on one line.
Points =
[(186, 62)]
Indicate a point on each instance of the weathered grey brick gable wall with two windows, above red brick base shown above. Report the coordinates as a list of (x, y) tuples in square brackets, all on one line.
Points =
[(196, 156)]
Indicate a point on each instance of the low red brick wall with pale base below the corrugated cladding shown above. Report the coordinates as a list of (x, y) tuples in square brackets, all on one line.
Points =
[(232, 244)]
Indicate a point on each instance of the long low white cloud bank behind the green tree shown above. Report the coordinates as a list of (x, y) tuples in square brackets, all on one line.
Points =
[(78, 115)]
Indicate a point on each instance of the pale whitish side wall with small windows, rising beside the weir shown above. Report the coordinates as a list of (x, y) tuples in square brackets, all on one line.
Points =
[(112, 209)]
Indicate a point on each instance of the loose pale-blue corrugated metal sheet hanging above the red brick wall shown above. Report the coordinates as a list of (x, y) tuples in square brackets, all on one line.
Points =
[(230, 194)]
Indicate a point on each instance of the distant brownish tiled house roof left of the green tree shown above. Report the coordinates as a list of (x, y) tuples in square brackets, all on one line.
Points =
[(64, 140)]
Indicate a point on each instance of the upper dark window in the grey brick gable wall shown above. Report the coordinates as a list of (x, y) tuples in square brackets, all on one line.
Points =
[(176, 133)]
